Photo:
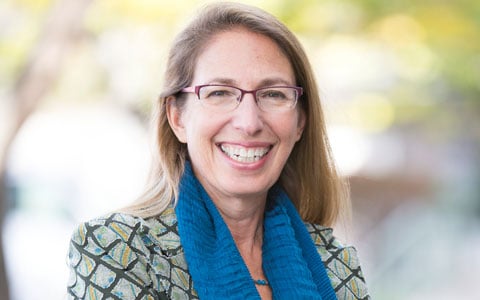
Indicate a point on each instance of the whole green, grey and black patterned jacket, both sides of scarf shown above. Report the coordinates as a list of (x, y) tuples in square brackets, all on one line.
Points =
[(121, 256)]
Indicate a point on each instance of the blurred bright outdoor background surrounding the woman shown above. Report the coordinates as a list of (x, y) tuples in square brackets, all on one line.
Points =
[(400, 81)]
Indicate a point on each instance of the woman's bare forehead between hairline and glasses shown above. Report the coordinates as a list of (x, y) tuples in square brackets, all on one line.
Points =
[(244, 56)]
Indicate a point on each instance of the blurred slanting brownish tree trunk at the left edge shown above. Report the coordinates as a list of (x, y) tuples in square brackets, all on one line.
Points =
[(36, 79)]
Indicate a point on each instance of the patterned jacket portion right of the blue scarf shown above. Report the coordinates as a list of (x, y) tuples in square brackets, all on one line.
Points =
[(341, 263)]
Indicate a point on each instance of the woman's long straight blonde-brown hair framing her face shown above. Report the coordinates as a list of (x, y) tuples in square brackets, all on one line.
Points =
[(309, 176)]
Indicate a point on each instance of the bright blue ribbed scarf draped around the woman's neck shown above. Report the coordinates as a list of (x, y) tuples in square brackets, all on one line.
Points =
[(291, 263)]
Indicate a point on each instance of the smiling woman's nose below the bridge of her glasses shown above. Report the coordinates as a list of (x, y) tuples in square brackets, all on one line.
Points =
[(248, 116)]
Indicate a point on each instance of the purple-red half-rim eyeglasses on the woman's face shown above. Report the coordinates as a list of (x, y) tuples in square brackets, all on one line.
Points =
[(227, 98)]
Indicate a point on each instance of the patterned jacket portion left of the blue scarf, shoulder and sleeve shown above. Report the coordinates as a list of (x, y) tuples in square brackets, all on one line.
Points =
[(125, 256)]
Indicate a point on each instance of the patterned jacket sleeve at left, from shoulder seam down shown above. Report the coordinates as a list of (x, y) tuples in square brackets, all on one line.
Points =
[(107, 259)]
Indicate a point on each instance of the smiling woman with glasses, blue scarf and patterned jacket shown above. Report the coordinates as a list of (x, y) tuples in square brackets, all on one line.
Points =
[(243, 157)]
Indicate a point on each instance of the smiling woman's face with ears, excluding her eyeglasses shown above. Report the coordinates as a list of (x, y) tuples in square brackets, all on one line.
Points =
[(221, 146)]
